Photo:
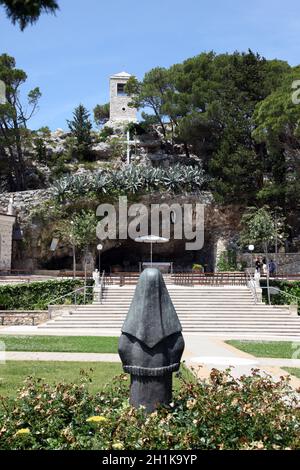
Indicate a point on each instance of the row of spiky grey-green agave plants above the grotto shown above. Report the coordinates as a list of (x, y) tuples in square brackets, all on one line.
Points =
[(129, 180)]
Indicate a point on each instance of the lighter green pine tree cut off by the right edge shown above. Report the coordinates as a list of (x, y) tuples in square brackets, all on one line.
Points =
[(277, 120)]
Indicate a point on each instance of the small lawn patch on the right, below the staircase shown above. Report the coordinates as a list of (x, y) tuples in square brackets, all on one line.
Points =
[(276, 349)]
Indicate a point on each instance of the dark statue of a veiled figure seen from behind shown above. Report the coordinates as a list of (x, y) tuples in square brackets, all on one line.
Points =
[(151, 344)]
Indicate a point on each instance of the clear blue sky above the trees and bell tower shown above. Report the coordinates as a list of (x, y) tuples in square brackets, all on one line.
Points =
[(70, 56)]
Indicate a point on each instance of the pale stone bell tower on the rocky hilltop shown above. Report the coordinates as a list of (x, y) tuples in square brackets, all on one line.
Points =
[(119, 109)]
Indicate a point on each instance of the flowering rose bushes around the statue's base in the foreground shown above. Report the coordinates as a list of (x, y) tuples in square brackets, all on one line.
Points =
[(221, 413)]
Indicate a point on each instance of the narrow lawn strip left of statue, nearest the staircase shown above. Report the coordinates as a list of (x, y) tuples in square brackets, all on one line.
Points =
[(95, 344)]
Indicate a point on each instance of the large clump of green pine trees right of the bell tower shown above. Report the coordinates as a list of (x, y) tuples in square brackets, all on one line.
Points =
[(228, 109)]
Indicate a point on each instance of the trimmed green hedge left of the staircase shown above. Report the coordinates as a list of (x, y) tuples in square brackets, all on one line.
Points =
[(35, 295)]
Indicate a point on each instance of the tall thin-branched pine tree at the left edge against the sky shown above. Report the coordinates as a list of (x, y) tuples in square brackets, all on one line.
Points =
[(14, 117)]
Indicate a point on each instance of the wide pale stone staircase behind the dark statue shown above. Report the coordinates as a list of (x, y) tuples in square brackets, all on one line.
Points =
[(224, 311)]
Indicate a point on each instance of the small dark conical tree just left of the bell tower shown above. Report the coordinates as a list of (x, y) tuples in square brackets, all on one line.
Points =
[(81, 128)]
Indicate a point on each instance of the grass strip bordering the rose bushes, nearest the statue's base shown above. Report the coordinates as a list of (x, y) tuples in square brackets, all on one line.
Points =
[(13, 374)]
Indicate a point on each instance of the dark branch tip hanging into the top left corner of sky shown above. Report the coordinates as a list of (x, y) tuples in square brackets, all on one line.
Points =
[(25, 12)]
